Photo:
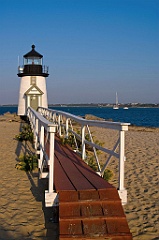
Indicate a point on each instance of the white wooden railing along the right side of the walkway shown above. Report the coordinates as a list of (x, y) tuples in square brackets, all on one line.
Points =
[(64, 121)]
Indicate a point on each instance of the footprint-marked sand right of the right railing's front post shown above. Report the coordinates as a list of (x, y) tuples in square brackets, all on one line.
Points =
[(142, 183)]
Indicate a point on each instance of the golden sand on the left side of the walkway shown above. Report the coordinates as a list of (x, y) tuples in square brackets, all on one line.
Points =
[(22, 211)]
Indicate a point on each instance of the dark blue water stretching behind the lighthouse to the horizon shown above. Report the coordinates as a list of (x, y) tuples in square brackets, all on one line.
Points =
[(147, 117)]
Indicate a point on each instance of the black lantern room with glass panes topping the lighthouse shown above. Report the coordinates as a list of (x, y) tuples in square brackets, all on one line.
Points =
[(33, 65)]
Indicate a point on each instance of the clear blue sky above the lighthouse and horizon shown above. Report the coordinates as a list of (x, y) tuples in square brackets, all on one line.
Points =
[(94, 48)]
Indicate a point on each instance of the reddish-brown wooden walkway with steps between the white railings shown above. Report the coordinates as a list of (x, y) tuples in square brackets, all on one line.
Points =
[(89, 207)]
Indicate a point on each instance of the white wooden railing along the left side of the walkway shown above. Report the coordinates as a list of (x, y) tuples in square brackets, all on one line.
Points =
[(44, 133)]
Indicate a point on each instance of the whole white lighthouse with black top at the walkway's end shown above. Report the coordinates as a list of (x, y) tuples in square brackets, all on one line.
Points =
[(33, 73)]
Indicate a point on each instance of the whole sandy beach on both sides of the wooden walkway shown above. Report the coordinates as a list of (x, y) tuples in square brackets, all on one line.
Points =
[(22, 211)]
